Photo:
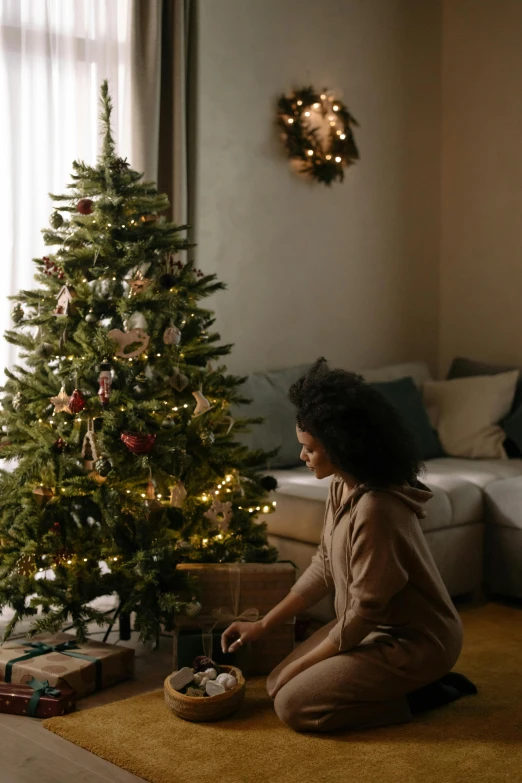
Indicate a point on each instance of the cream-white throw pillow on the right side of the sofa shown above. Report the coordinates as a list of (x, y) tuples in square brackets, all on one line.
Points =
[(466, 411)]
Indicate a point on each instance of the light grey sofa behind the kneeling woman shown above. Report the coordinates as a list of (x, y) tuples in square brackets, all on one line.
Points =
[(474, 521)]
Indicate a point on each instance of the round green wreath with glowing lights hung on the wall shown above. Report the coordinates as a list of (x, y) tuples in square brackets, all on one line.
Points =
[(317, 130)]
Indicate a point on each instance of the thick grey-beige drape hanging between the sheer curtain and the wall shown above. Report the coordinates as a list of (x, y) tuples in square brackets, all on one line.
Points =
[(163, 91)]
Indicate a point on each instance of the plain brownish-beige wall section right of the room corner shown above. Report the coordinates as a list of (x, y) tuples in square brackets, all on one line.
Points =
[(481, 250)]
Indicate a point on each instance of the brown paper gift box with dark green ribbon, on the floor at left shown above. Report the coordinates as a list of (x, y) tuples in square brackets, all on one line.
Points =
[(84, 667)]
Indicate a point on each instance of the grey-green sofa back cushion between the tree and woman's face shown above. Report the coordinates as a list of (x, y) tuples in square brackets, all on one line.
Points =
[(269, 394)]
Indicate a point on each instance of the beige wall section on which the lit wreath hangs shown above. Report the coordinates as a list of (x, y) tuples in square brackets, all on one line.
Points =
[(351, 272)]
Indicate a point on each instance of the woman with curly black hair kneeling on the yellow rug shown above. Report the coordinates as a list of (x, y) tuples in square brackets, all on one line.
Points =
[(396, 636)]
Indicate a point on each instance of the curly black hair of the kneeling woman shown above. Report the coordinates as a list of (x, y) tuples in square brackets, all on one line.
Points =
[(361, 432)]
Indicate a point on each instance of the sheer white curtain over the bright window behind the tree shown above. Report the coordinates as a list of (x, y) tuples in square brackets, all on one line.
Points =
[(54, 54)]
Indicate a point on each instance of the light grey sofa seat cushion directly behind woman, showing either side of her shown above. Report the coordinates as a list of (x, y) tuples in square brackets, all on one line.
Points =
[(301, 500)]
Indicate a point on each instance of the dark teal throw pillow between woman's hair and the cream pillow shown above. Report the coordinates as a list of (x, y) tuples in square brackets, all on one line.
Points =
[(406, 398)]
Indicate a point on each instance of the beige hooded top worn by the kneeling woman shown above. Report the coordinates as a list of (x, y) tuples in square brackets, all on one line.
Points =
[(374, 556)]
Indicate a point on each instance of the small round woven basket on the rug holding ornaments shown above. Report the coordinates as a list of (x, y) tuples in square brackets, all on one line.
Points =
[(207, 708)]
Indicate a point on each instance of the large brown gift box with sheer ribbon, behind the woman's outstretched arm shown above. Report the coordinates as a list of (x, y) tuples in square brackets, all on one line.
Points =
[(227, 591)]
